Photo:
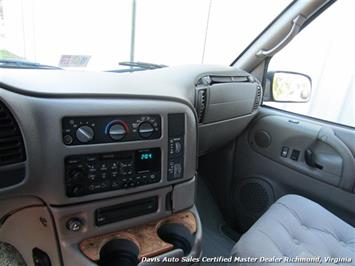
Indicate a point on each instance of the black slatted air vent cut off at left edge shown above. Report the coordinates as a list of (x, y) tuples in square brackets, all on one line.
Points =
[(11, 142)]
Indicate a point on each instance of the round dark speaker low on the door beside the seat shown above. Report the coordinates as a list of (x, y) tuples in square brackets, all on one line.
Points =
[(252, 197)]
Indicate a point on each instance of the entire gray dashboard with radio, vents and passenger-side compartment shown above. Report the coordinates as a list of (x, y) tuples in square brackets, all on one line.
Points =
[(90, 146)]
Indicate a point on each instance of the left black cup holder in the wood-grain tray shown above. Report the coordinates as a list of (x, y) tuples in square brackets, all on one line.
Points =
[(121, 252)]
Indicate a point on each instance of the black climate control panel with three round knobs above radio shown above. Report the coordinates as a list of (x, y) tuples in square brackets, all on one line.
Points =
[(109, 129)]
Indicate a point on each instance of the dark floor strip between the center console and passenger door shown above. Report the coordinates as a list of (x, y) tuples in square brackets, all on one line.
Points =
[(214, 243)]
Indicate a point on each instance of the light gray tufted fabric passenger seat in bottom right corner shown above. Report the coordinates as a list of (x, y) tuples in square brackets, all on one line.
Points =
[(297, 227)]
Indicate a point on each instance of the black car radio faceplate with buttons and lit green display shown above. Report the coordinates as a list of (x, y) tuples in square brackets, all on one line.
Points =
[(94, 173)]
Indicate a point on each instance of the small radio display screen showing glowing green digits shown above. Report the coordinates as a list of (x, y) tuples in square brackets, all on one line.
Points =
[(147, 160)]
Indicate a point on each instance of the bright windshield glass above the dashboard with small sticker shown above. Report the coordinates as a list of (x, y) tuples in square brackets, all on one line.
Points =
[(97, 35)]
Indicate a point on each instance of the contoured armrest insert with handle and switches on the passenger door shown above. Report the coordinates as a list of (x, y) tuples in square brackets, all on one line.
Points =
[(309, 148)]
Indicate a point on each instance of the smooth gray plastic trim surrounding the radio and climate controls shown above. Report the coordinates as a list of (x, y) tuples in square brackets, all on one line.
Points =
[(40, 121)]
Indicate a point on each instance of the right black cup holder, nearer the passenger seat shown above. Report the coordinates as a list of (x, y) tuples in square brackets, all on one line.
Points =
[(178, 235)]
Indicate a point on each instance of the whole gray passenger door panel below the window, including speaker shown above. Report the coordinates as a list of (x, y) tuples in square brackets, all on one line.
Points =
[(262, 175)]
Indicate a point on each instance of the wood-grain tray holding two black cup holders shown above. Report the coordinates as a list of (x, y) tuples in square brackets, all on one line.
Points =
[(127, 246)]
